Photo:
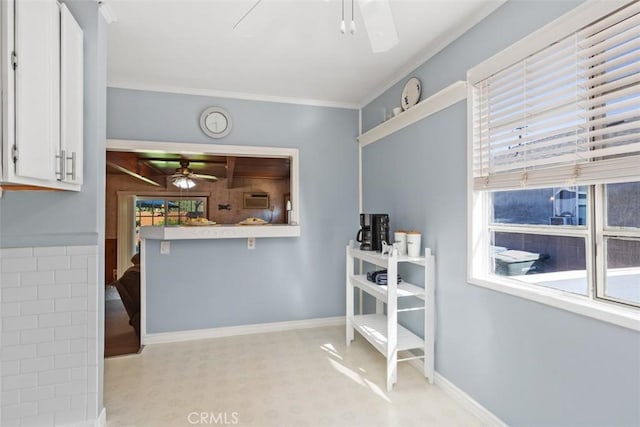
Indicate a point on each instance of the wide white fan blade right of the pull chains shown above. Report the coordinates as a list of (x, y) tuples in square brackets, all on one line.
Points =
[(379, 23)]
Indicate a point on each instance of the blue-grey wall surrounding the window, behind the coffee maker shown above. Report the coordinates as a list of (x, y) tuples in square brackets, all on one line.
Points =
[(530, 364)]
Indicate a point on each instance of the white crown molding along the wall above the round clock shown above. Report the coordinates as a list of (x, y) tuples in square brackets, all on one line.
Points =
[(231, 95)]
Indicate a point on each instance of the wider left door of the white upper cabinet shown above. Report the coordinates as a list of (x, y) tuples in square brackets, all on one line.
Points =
[(37, 82)]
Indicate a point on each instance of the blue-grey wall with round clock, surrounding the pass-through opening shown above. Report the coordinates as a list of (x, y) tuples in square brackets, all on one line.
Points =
[(208, 284)]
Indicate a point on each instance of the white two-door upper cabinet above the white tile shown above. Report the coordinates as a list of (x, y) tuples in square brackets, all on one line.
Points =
[(42, 84)]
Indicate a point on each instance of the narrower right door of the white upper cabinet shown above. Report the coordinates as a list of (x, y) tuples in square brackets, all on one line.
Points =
[(71, 92)]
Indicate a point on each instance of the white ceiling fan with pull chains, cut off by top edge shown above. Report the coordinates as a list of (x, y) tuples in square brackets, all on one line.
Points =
[(377, 18)]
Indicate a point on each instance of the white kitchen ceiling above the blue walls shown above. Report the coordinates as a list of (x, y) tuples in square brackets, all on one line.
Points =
[(283, 50)]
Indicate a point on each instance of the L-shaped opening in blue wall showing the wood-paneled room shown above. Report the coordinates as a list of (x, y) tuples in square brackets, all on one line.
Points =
[(146, 187)]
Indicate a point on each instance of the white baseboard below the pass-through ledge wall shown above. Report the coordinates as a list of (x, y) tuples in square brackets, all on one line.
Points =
[(198, 334)]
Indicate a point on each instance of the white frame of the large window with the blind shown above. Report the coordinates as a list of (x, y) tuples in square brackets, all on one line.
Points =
[(479, 203)]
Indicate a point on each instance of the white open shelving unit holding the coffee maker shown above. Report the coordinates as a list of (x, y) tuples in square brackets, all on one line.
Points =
[(383, 330)]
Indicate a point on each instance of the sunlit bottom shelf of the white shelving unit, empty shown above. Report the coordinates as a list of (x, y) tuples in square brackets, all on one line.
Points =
[(374, 328)]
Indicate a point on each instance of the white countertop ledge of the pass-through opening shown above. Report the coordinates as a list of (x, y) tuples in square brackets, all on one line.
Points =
[(219, 232)]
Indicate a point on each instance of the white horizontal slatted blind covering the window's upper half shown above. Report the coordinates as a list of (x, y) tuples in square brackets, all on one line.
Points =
[(567, 114)]
